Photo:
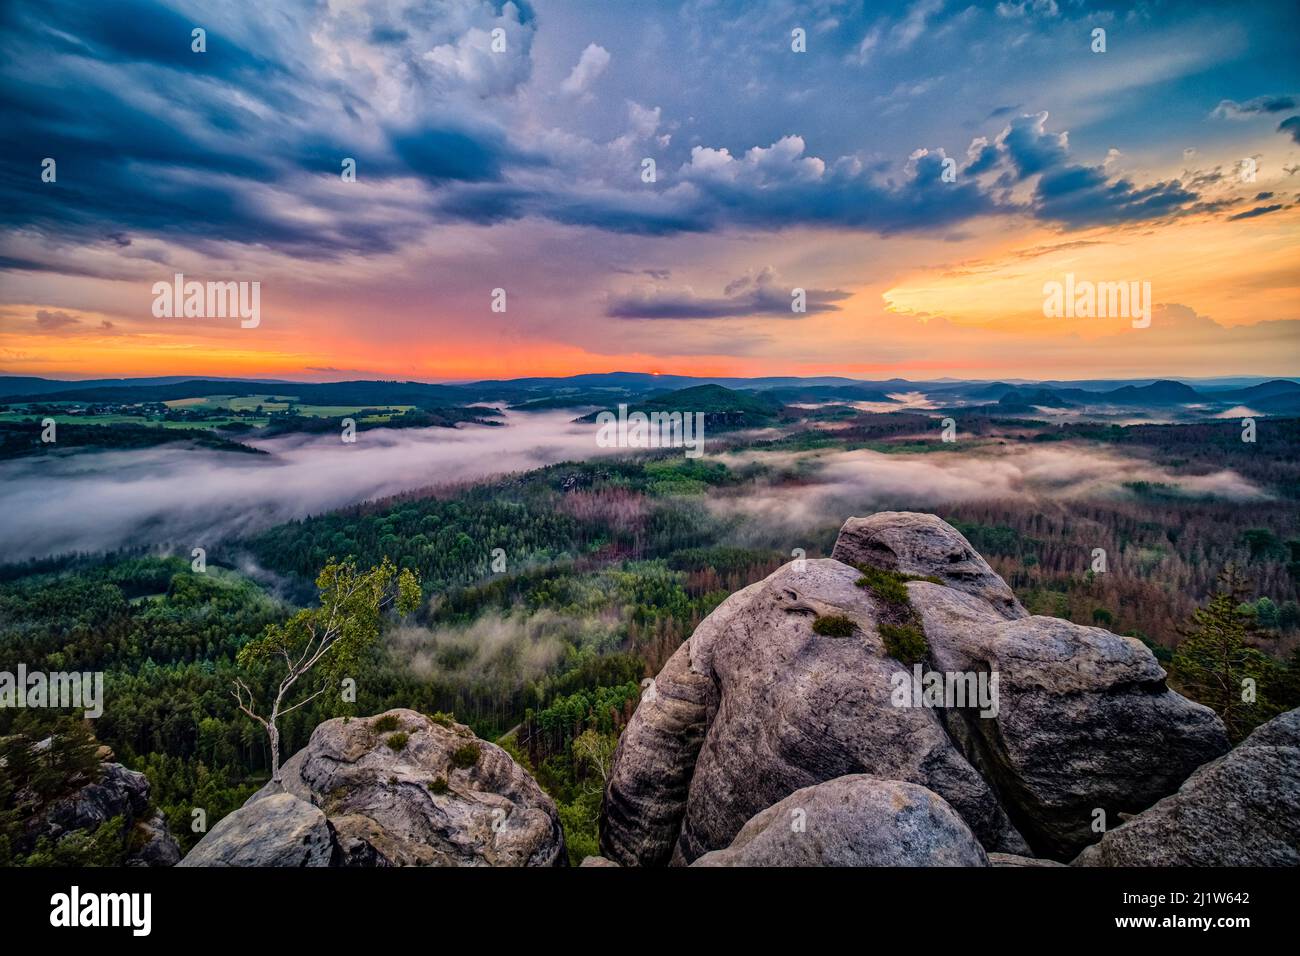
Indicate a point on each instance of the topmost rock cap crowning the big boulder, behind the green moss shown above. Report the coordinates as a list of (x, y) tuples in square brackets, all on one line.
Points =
[(924, 546)]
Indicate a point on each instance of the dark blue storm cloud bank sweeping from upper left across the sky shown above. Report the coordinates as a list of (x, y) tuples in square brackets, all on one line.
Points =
[(244, 144)]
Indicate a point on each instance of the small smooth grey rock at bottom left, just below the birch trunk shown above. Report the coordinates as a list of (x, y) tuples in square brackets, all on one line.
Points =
[(276, 830)]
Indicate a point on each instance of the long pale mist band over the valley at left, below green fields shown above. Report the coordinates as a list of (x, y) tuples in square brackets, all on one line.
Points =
[(187, 498)]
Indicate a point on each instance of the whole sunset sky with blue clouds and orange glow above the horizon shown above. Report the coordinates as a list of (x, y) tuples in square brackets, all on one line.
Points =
[(918, 170)]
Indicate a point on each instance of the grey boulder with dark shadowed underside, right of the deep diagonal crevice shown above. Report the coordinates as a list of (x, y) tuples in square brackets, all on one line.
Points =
[(1085, 720)]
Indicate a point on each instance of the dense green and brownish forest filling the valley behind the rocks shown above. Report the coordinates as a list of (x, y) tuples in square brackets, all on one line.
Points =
[(549, 596)]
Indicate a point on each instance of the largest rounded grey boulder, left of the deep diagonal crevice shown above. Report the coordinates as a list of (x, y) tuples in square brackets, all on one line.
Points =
[(785, 708)]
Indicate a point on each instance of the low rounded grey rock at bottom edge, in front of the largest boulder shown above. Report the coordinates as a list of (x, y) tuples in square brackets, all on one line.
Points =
[(855, 821)]
